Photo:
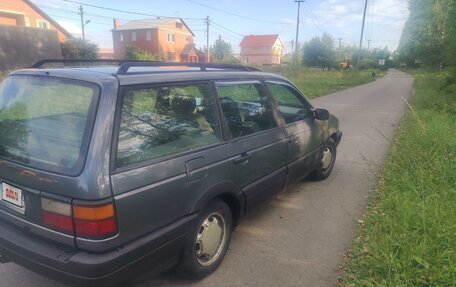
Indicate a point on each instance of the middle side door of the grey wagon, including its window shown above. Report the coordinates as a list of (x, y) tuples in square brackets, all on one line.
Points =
[(257, 145)]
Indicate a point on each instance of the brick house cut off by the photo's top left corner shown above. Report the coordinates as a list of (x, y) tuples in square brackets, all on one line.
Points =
[(24, 13)]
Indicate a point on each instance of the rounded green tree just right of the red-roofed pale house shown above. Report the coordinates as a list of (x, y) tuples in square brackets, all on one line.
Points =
[(320, 52)]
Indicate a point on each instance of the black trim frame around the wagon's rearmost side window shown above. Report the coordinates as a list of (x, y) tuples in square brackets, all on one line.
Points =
[(117, 120)]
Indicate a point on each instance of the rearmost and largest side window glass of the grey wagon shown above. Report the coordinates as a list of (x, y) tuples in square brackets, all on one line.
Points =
[(165, 120)]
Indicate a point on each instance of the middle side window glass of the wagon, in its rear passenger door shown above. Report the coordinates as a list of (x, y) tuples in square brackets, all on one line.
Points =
[(246, 107)]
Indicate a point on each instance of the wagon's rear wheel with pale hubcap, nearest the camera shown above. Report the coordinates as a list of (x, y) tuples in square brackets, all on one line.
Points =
[(208, 242)]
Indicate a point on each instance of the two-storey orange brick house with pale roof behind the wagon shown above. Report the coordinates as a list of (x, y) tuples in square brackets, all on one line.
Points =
[(169, 38)]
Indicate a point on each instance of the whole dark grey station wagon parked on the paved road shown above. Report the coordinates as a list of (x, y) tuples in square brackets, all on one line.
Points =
[(109, 171)]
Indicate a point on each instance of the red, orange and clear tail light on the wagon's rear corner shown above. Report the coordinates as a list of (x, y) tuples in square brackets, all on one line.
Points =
[(85, 221)]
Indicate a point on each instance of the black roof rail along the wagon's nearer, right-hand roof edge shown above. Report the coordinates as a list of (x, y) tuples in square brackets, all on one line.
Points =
[(125, 66)]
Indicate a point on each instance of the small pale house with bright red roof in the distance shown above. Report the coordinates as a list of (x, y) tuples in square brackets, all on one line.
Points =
[(261, 50)]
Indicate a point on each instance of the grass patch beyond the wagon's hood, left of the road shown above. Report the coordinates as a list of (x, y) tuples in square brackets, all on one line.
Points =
[(316, 82)]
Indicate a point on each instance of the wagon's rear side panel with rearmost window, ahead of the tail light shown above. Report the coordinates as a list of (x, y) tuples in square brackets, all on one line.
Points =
[(168, 153)]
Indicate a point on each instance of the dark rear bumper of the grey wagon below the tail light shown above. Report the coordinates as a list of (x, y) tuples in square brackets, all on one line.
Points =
[(154, 252)]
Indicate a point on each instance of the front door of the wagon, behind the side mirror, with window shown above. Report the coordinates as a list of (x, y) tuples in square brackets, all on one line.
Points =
[(303, 132)]
